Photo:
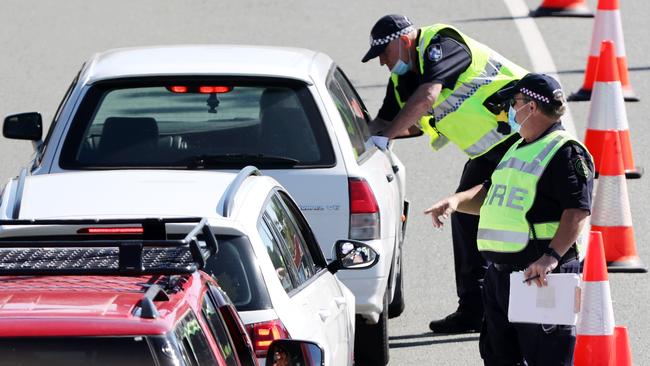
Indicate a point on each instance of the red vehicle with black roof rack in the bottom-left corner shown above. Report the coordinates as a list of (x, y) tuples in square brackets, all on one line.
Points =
[(108, 300)]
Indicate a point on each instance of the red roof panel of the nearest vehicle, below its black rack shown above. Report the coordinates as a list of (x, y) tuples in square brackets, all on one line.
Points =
[(89, 305)]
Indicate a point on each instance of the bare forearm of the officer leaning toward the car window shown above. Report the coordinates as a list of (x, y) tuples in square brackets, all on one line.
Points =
[(416, 106)]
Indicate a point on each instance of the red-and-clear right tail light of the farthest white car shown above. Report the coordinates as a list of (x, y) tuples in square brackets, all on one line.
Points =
[(364, 211)]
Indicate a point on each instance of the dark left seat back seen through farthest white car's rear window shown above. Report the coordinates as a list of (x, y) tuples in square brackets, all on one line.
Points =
[(126, 139)]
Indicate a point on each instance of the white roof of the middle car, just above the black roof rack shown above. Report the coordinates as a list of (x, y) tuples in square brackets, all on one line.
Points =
[(131, 194)]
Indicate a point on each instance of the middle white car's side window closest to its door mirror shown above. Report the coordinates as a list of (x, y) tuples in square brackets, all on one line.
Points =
[(296, 252)]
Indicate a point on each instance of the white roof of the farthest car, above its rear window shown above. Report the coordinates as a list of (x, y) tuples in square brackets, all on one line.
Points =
[(294, 63)]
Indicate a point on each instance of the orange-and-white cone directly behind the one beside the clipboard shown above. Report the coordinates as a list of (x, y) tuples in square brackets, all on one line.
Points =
[(611, 211)]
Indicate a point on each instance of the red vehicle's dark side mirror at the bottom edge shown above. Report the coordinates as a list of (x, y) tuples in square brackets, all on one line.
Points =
[(291, 352)]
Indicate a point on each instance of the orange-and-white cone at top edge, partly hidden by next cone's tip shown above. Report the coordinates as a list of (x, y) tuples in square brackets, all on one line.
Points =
[(607, 25)]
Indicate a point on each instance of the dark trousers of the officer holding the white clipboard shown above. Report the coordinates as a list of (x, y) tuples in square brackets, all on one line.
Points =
[(503, 343)]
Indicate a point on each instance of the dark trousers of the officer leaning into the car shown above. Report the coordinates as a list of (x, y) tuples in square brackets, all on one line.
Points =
[(468, 263)]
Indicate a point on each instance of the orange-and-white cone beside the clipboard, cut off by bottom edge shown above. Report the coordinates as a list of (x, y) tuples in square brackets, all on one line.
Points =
[(595, 328)]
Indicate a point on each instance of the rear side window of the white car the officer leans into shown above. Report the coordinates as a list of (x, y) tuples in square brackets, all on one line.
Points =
[(351, 109)]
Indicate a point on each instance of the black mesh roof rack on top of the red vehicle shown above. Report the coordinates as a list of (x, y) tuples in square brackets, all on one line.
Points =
[(84, 255)]
